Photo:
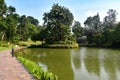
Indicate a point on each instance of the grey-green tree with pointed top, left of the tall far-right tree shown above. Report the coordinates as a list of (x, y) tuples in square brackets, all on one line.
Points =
[(92, 26)]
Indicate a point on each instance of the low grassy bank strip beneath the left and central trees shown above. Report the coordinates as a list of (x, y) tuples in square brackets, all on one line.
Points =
[(38, 44)]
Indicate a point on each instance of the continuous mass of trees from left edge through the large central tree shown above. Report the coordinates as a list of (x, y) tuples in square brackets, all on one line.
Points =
[(56, 27)]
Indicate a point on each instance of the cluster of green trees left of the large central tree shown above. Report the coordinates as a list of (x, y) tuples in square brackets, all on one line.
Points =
[(14, 27)]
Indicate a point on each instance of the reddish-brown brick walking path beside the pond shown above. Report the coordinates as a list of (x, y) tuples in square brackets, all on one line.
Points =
[(11, 69)]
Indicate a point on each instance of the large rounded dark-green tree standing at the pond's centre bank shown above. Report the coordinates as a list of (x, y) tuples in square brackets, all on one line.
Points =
[(58, 22)]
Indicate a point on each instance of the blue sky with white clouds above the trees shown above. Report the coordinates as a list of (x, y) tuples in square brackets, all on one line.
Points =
[(81, 9)]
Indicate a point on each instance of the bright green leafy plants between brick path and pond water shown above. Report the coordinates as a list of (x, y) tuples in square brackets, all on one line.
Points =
[(37, 70)]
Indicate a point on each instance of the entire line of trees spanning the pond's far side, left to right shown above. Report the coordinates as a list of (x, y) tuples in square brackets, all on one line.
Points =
[(58, 28)]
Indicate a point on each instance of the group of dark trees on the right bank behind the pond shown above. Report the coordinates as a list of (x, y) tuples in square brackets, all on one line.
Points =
[(106, 33)]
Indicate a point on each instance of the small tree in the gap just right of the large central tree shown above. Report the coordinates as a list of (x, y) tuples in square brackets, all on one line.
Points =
[(77, 29)]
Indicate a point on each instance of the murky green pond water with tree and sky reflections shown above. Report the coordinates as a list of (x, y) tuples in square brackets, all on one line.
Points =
[(77, 64)]
